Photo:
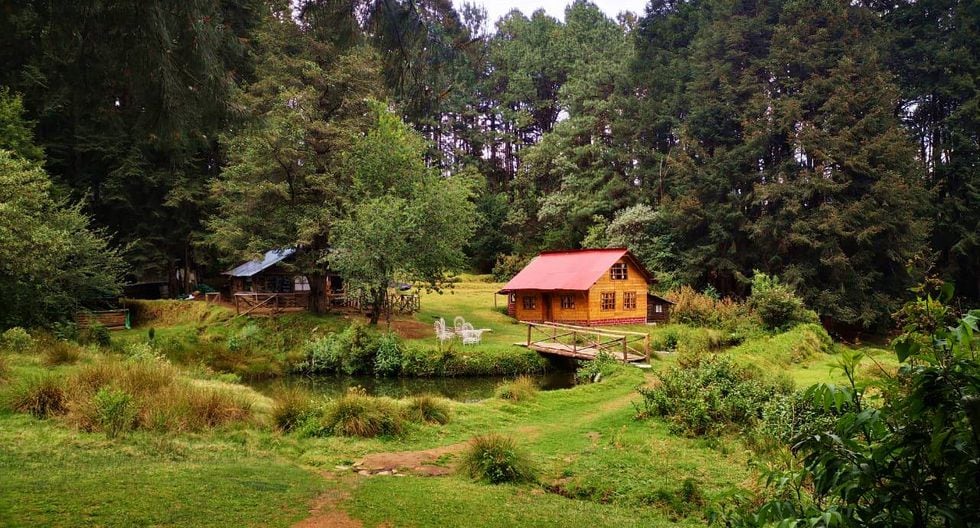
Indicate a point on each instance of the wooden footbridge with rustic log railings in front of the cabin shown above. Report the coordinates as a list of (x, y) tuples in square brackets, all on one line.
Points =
[(580, 342)]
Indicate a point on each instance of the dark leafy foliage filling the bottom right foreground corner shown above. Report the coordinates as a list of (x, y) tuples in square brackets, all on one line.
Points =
[(909, 460)]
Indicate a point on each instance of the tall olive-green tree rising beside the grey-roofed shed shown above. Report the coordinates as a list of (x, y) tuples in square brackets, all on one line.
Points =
[(282, 187)]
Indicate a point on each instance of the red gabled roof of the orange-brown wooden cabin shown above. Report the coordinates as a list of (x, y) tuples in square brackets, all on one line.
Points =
[(570, 270)]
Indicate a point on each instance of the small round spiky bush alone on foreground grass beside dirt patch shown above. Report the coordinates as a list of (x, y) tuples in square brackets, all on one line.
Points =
[(496, 459)]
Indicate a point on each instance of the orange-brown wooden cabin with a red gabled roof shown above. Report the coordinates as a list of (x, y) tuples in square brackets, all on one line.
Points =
[(590, 287)]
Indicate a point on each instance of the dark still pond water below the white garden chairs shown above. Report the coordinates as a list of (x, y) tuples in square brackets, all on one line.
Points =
[(459, 389)]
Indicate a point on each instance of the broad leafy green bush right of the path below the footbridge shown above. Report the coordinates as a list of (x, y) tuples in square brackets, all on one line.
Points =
[(708, 397)]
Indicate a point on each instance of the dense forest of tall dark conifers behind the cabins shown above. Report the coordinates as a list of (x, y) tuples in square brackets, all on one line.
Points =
[(833, 144)]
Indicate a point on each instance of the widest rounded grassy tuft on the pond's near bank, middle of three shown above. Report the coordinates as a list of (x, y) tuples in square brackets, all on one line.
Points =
[(357, 414)]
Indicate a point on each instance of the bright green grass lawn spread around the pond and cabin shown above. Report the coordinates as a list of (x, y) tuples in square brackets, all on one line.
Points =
[(596, 464)]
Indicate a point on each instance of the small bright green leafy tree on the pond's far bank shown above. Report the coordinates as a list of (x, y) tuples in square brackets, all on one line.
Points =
[(404, 222)]
